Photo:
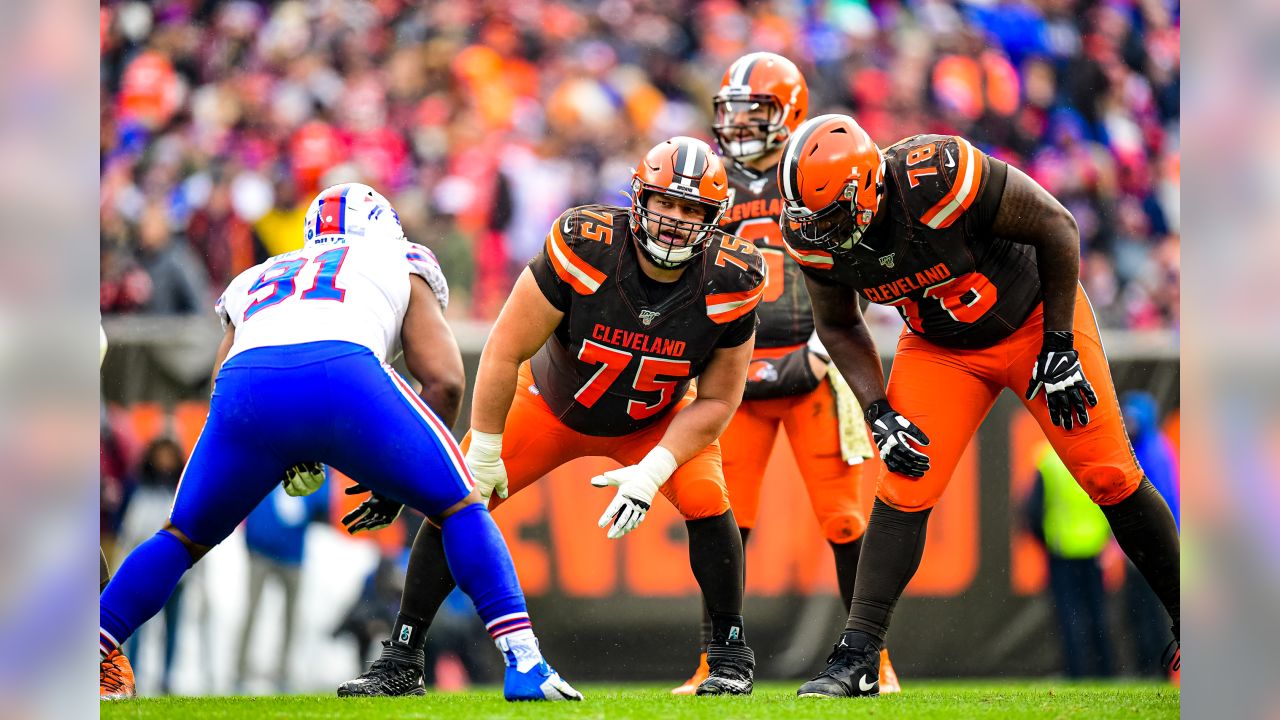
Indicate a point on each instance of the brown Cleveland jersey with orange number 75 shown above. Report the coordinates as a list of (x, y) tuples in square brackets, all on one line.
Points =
[(629, 348)]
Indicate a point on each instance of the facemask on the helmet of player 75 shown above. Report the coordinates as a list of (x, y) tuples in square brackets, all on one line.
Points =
[(671, 243)]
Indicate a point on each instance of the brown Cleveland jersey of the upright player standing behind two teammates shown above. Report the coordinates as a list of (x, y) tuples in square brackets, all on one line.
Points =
[(756, 206)]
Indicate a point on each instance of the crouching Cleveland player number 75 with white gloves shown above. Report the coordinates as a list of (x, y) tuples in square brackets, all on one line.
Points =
[(595, 356)]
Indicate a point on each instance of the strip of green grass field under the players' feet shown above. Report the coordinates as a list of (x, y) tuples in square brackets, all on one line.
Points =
[(623, 703)]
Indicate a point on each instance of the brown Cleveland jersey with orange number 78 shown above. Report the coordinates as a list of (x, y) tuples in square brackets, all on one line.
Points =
[(932, 254)]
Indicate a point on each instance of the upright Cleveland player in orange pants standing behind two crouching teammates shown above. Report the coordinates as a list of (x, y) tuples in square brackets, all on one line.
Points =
[(764, 98)]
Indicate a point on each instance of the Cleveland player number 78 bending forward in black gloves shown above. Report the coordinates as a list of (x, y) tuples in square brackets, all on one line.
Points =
[(982, 265)]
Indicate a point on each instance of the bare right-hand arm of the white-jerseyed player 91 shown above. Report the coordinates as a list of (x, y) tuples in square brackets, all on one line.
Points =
[(432, 353)]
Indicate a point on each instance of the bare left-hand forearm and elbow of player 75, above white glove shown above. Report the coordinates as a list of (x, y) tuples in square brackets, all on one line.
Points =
[(527, 322)]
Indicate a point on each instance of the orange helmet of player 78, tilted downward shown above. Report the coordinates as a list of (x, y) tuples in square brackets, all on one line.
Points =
[(833, 180)]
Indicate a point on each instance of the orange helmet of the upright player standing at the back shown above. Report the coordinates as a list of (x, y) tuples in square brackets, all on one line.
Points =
[(756, 81)]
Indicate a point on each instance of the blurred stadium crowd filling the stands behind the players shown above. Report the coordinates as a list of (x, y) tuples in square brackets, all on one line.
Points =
[(483, 121)]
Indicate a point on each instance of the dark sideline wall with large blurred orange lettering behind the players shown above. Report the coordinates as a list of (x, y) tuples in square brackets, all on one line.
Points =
[(977, 605)]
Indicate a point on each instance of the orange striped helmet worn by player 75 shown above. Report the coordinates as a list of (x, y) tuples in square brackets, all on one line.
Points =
[(684, 168)]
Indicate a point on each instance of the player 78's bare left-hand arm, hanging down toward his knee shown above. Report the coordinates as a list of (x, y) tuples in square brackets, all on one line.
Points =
[(839, 320)]
